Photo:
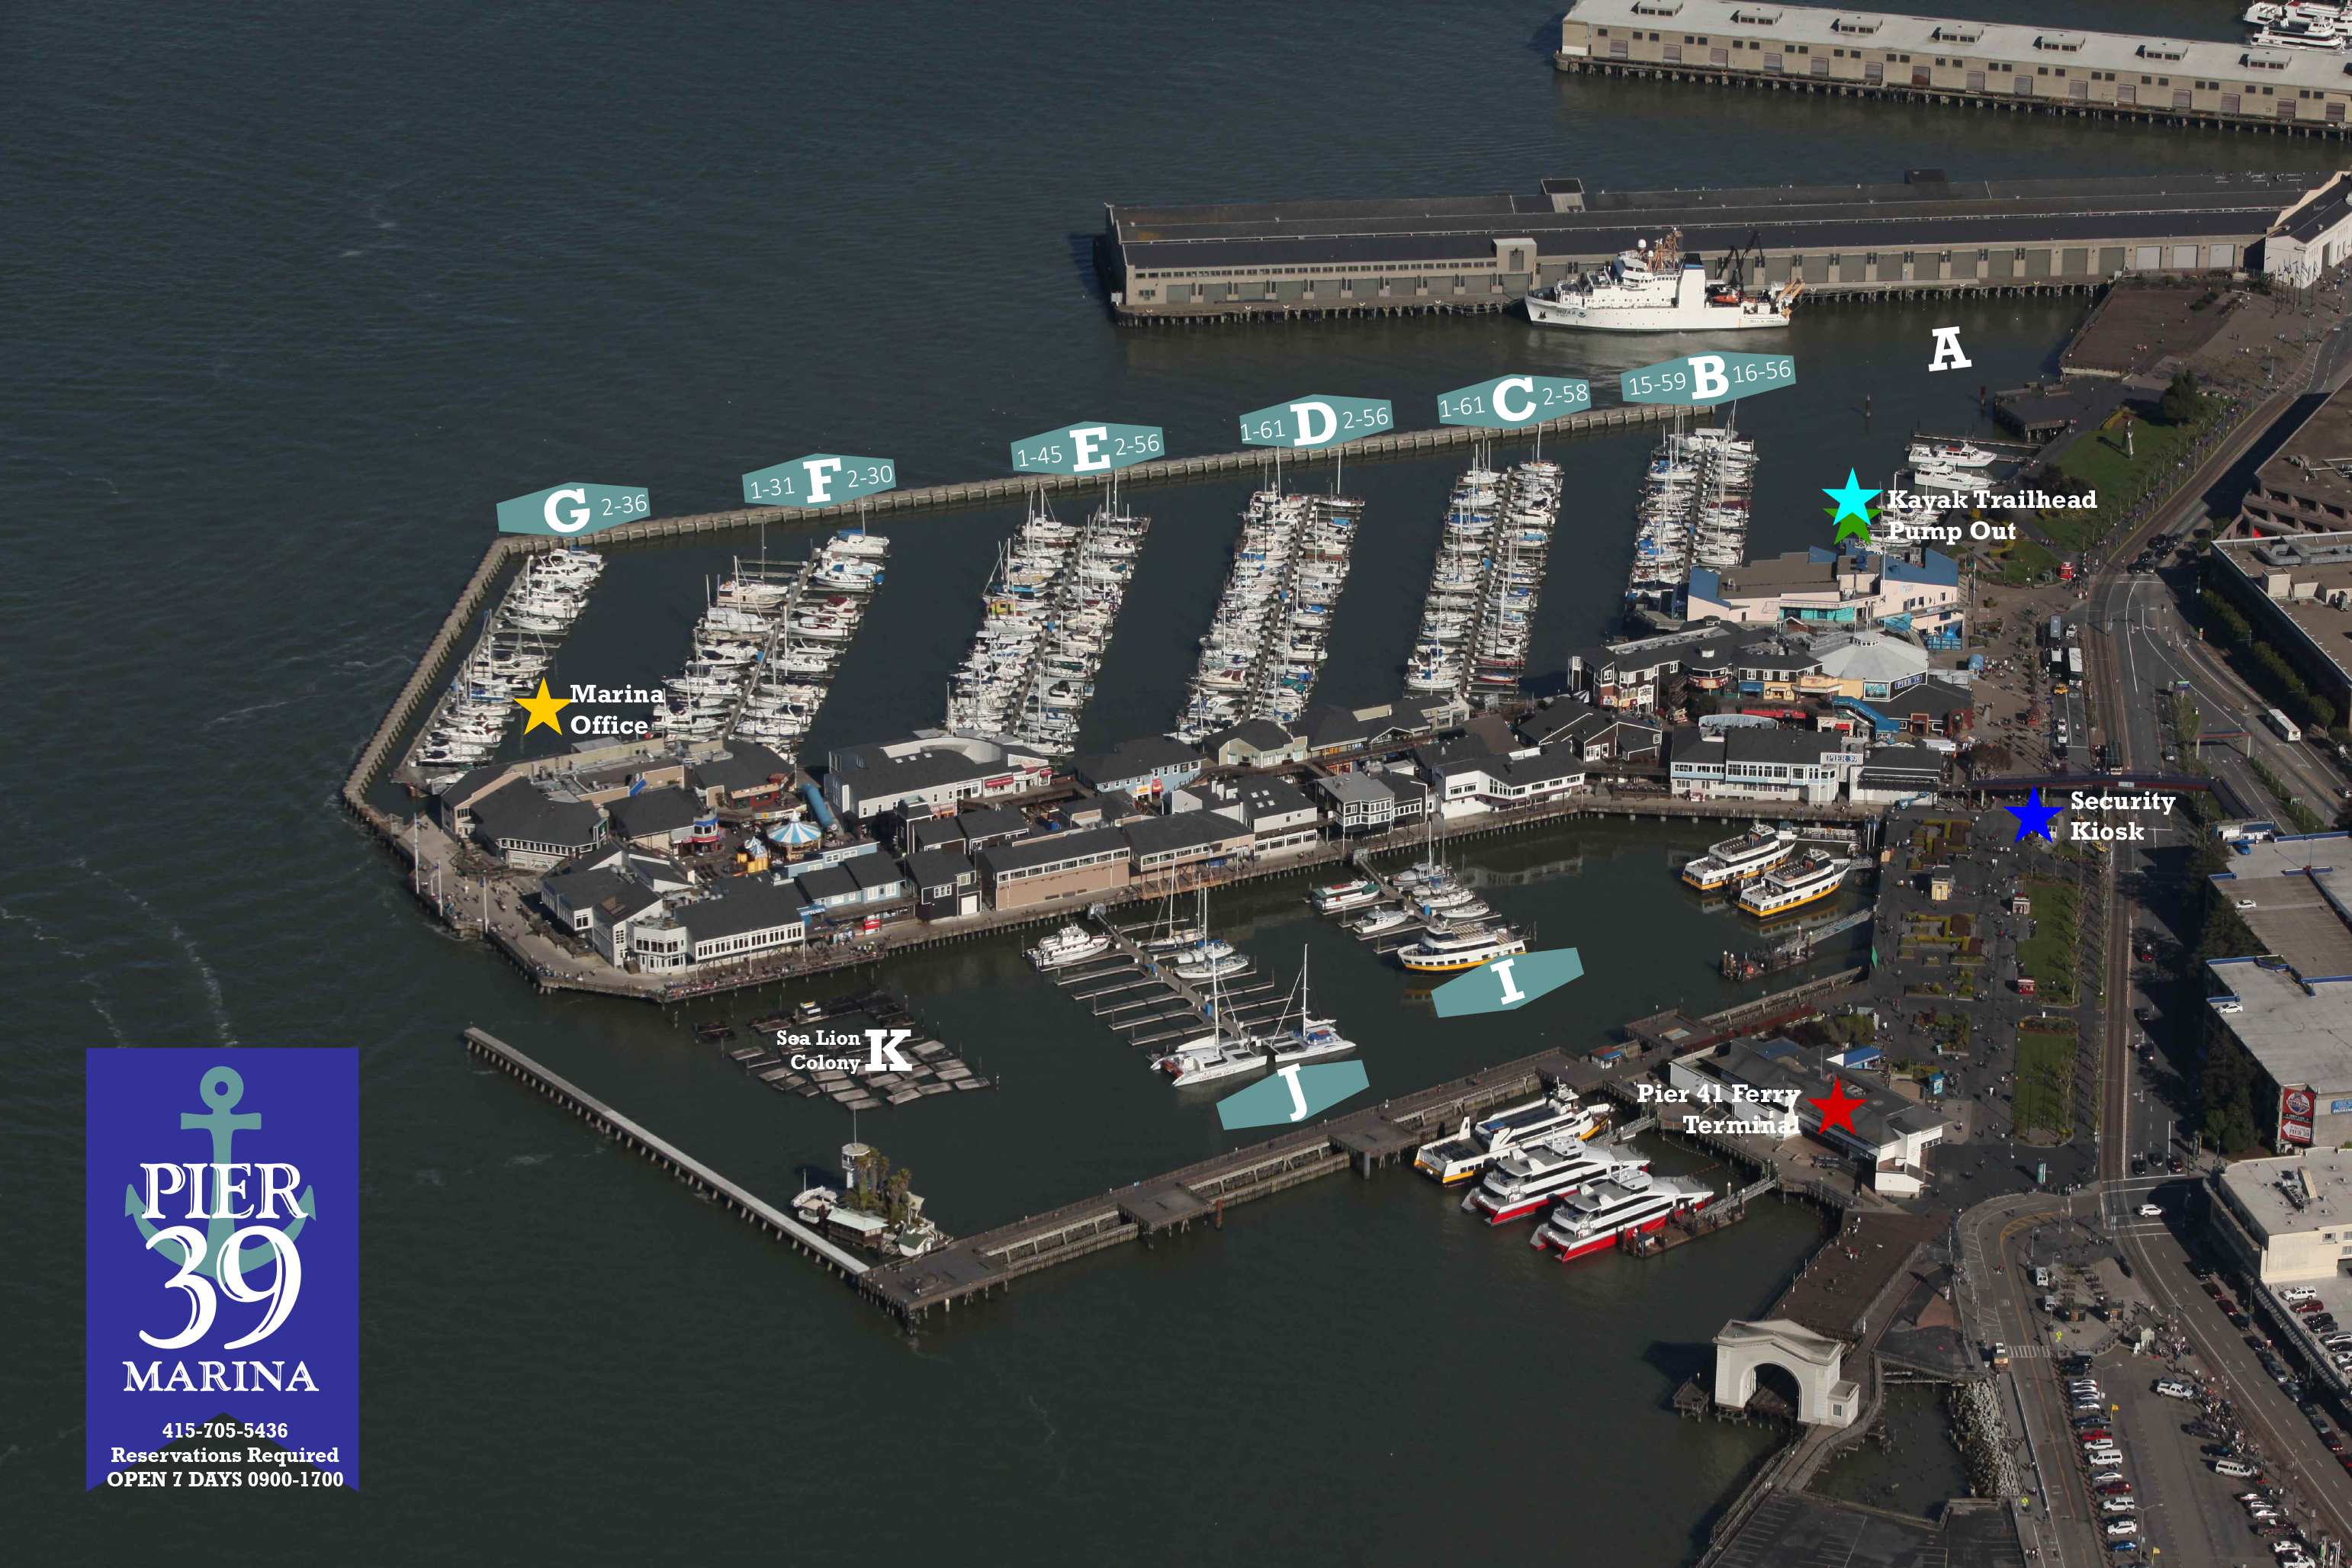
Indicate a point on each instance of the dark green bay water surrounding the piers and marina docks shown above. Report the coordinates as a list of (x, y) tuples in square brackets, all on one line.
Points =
[(300, 293)]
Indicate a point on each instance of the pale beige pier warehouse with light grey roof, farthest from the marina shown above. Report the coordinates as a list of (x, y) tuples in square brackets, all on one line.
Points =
[(1942, 60)]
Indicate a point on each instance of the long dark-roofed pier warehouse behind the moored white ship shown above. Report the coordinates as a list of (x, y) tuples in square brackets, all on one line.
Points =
[(1925, 234)]
